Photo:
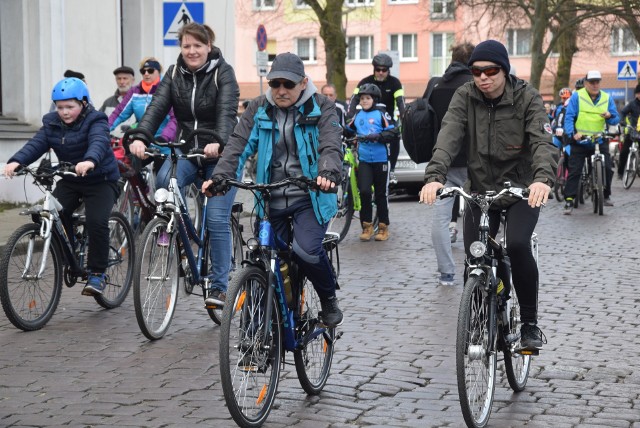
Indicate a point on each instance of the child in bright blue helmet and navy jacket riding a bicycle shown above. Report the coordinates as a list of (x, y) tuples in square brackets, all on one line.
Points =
[(79, 134)]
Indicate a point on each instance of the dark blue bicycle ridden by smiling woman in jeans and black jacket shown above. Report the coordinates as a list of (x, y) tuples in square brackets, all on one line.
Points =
[(159, 266)]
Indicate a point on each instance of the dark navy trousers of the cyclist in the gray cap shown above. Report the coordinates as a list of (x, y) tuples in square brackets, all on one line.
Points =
[(307, 244)]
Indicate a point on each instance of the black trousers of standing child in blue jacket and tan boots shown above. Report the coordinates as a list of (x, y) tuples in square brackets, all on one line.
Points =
[(374, 174)]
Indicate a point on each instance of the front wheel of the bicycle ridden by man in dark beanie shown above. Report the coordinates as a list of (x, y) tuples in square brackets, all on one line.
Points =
[(475, 359)]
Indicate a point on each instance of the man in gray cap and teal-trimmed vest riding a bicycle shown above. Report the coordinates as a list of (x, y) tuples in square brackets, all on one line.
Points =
[(295, 132)]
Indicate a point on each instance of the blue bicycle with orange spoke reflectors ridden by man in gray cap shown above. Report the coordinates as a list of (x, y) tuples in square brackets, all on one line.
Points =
[(272, 306)]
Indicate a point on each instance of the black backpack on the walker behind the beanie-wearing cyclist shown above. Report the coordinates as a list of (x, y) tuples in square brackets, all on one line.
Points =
[(420, 127)]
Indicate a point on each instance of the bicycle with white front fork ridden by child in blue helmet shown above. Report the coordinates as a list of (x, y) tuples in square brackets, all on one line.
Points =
[(40, 255)]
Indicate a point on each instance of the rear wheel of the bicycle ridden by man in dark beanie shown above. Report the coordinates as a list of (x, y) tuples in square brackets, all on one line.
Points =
[(516, 366)]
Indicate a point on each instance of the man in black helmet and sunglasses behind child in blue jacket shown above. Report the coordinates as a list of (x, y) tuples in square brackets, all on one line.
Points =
[(392, 98)]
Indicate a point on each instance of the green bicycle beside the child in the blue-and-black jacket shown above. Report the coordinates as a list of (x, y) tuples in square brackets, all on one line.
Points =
[(348, 194)]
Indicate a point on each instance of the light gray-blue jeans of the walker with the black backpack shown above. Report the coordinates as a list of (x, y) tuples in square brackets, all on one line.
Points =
[(440, 224)]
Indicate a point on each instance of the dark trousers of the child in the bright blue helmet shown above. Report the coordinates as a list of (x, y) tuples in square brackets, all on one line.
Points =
[(99, 199)]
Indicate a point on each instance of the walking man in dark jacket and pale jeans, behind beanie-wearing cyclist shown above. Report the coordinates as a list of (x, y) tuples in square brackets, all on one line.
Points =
[(455, 76)]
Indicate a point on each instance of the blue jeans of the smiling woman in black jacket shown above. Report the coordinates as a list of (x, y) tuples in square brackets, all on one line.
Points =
[(218, 215)]
